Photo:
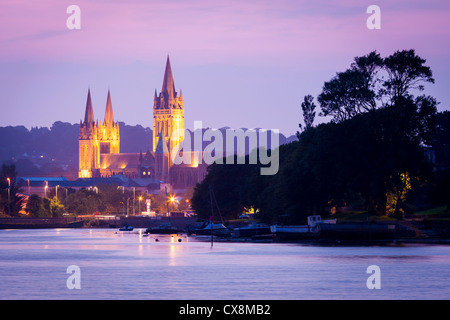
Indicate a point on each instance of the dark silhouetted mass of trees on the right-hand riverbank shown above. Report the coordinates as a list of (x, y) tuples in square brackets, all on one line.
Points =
[(386, 151)]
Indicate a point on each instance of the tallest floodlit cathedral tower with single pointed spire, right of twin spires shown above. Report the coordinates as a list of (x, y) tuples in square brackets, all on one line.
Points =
[(168, 113)]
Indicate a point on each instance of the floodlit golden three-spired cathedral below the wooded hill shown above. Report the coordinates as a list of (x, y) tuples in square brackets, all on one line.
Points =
[(99, 143)]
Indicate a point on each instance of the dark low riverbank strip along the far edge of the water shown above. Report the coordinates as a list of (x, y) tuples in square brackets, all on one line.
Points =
[(423, 231)]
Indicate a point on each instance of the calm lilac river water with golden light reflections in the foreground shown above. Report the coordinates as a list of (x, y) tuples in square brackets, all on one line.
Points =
[(117, 265)]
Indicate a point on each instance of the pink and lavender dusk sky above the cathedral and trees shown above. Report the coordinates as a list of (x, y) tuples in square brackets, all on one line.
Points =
[(311, 39)]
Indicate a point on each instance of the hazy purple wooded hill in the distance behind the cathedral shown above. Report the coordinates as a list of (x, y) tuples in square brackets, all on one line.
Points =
[(54, 151)]
